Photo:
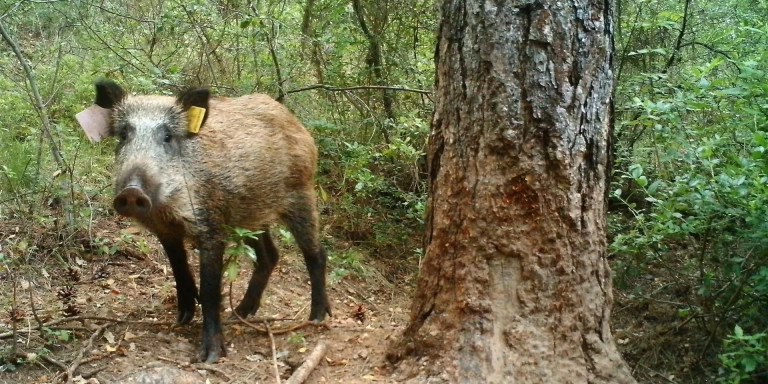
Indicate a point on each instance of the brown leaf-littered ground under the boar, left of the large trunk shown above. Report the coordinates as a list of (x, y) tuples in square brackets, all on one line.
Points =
[(127, 312)]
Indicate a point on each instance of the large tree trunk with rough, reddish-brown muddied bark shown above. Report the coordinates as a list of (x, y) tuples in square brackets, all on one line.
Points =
[(515, 286)]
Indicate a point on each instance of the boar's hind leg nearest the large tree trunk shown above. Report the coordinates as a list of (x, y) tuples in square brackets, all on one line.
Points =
[(301, 220)]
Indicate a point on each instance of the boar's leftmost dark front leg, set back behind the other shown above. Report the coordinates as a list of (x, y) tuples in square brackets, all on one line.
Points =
[(186, 291)]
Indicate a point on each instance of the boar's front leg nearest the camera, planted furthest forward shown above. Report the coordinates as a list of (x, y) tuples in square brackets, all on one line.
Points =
[(211, 255)]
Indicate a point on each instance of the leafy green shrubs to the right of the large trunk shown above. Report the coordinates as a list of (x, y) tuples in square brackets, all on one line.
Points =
[(690, 180)]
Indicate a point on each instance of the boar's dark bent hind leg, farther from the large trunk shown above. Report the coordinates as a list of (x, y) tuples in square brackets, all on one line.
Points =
[(267, 259)]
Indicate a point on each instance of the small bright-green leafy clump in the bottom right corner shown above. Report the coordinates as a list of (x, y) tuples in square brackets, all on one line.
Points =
[(744, 357)]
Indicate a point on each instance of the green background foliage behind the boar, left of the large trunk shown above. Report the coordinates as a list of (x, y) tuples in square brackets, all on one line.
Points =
[(234, 48)]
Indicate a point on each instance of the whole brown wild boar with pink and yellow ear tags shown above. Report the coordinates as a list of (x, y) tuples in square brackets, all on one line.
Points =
[(188, 167)]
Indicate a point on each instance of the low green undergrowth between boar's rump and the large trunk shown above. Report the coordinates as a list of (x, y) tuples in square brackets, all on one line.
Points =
[(378, 190)]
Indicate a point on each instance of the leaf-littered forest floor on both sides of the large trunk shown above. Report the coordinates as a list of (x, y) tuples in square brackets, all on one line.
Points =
[(124, 297)]
